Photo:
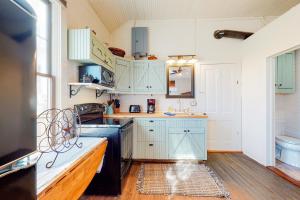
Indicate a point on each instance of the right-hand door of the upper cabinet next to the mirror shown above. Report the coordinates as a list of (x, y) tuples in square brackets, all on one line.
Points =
[(157, 77)]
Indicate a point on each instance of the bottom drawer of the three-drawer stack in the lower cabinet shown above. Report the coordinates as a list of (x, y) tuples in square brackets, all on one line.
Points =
[(151, 150)]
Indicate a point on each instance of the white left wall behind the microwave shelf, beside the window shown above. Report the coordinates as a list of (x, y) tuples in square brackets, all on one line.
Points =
[(78, 14)]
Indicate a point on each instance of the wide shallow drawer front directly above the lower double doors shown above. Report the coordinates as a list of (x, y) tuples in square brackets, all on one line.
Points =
[(187, 123)]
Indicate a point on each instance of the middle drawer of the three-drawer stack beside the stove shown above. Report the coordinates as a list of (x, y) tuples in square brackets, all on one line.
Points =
[(150, 134)]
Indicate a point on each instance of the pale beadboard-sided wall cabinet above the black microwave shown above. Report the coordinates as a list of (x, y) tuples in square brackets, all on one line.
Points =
[(84, 47)]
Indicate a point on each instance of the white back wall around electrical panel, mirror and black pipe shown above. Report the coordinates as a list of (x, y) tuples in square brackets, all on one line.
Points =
[(173, 37)]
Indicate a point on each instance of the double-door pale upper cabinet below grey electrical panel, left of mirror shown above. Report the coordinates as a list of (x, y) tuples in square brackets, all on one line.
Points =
[(149, 77)]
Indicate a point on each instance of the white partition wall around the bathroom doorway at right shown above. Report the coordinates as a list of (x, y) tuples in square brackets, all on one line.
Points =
[(276, 37)]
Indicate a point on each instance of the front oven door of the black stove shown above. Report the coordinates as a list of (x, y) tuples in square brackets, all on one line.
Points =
[(126, 147)]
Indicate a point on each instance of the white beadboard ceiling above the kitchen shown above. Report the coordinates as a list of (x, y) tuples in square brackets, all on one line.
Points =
[(114, 13)]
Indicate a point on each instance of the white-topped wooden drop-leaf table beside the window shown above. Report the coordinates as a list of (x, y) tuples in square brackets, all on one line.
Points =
[(72, 172)]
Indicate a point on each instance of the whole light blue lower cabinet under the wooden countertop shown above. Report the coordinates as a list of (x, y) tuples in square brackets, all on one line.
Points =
[(163, 138)]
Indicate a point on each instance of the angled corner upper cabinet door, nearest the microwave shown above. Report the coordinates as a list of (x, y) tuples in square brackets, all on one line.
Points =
[(123, 75)]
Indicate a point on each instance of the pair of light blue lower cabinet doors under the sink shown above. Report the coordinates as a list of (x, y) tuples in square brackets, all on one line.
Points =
[(186, 145)]
